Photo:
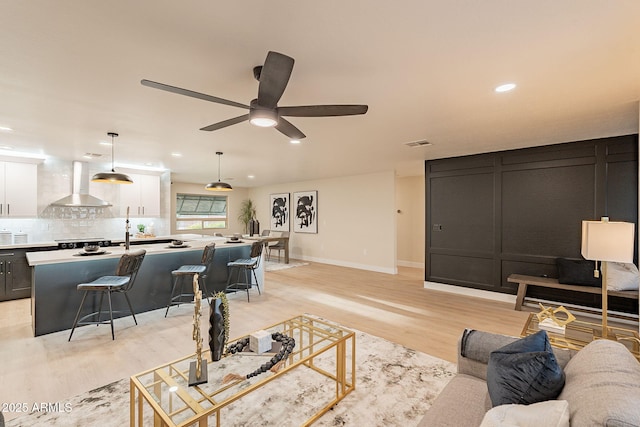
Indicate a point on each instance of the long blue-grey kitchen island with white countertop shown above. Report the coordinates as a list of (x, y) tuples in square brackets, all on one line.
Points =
[(55, 275)]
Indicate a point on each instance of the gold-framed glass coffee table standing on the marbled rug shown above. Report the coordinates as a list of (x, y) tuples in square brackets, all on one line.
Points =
[(323, 358)]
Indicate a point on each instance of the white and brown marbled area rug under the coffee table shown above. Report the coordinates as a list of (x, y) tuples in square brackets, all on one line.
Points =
[(394, 387)]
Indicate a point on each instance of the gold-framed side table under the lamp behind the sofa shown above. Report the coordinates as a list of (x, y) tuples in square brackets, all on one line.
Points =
[(580, 333)]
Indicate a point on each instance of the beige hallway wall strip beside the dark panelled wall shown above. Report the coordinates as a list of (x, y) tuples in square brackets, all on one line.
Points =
[(410, 200)]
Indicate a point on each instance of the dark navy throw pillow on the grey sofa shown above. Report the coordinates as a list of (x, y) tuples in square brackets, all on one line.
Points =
[(524, 372)]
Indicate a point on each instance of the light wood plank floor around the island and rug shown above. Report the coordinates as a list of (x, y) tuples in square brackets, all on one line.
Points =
[(396, 307)]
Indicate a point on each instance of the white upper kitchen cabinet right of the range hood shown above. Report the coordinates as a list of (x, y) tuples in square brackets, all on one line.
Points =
[(142, 197)]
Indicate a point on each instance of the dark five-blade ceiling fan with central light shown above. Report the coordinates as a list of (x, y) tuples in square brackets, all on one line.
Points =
[(273, 77)]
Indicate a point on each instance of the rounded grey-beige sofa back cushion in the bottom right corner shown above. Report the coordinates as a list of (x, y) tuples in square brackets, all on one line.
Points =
[(603, 386)]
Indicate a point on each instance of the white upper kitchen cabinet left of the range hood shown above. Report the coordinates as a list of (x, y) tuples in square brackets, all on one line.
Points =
[(18, 189)]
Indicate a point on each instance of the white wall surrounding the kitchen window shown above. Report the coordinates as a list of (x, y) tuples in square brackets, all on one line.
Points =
[(234, 201)]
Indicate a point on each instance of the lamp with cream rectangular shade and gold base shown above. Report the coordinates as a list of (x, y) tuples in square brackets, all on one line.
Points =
[(607, 241)]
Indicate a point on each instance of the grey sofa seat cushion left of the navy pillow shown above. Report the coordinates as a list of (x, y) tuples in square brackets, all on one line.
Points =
[(461, 403)]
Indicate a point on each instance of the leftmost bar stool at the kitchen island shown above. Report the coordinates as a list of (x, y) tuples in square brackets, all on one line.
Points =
[(122, 282)]
